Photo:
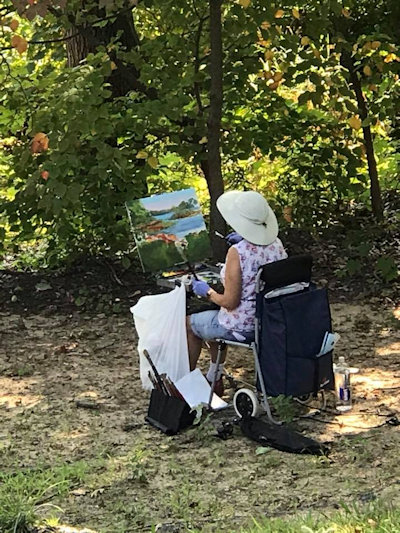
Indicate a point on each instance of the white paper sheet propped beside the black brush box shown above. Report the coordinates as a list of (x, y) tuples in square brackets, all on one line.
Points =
[(196, 390)]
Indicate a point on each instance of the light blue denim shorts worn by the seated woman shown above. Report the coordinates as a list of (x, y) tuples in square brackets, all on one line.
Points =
[(206, 326)]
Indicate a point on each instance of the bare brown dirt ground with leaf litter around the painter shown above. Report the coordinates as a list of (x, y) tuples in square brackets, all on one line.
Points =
[(55, 366)]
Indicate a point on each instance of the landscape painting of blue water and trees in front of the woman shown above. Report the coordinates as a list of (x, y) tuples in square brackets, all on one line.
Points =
[(169, 229)]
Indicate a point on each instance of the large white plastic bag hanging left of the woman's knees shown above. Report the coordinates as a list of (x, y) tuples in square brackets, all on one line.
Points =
[(160, 322)]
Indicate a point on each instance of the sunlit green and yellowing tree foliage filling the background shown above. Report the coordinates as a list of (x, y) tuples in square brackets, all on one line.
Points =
[(128, 120)]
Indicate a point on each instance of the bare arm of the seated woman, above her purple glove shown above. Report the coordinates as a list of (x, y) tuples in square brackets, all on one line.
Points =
[(230, 299)]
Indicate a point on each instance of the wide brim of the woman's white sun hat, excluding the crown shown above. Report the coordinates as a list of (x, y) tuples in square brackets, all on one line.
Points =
[(252, 232)]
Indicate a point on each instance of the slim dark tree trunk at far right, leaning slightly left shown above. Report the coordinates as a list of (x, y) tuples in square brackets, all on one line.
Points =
[(375, 190)]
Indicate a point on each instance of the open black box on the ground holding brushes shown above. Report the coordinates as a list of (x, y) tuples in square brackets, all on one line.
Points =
[(169, 414)]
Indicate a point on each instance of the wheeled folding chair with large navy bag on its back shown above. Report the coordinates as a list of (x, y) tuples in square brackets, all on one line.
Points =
[(292, 318)]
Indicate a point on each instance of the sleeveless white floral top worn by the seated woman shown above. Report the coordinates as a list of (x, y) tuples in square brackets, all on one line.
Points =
[(251, 256)]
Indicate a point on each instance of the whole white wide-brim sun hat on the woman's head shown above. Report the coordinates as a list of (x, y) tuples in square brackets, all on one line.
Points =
[(249, 214)]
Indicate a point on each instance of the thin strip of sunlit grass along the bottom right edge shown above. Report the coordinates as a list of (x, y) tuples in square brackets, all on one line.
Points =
[(375, 518)]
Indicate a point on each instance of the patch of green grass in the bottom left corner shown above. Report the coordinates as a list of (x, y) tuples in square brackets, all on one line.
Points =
[(25, 495)]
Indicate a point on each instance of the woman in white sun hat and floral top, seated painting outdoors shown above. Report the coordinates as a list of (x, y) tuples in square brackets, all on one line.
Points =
[(254, 243)]
